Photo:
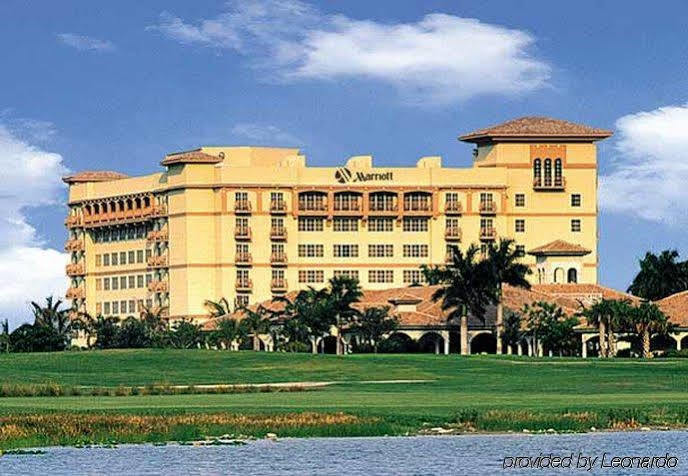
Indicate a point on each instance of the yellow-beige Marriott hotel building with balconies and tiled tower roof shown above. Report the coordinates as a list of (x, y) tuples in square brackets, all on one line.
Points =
[(249, 223)]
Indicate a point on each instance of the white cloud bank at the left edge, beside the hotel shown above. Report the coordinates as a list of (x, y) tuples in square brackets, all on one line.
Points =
[(28, 269)]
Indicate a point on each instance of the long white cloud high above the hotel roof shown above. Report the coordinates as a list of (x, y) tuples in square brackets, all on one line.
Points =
[(440, 58)]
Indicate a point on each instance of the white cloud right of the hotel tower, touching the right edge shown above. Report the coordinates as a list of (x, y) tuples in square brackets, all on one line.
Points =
[(649, 176)]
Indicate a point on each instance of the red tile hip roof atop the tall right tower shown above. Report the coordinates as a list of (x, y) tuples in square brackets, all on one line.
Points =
[(534, 127)]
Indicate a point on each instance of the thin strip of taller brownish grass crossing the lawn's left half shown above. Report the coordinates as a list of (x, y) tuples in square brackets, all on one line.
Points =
[(54, 390)]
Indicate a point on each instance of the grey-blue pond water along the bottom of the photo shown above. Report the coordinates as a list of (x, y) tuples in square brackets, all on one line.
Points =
[(424, 455)]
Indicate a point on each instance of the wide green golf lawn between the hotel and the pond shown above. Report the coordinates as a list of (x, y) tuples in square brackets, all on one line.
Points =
[(657, 389)]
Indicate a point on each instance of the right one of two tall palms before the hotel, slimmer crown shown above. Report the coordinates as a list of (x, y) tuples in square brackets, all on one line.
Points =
[(506, 267)]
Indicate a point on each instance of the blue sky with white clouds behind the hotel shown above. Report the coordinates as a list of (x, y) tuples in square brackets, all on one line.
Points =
[(116, 85)]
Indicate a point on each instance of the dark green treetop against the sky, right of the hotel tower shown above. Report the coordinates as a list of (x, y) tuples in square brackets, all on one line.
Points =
[(660, 276)]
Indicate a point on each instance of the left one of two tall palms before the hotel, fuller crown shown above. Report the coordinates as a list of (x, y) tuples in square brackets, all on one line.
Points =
[(468, 286)]
